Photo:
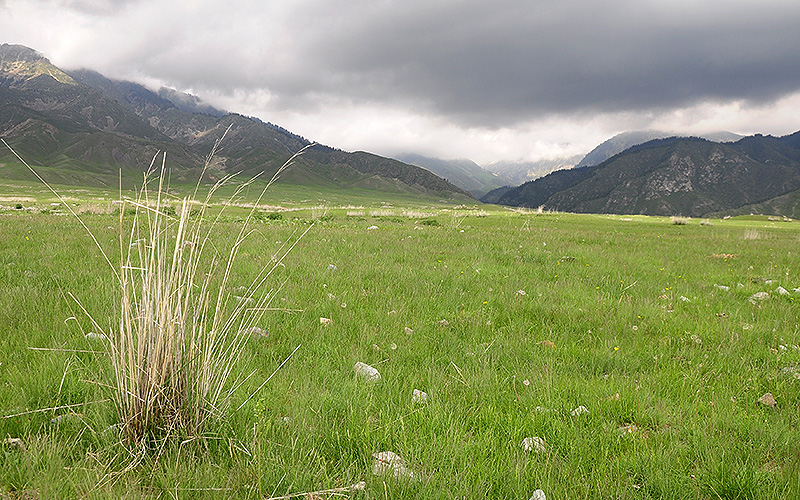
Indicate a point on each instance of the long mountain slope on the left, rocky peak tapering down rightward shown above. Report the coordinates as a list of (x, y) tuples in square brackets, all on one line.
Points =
[(81, 121)]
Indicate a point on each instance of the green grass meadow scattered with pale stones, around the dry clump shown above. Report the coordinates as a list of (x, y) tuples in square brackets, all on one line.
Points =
[(508, 321)]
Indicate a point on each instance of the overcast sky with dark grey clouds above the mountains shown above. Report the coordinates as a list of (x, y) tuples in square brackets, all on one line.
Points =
[(486, 80)]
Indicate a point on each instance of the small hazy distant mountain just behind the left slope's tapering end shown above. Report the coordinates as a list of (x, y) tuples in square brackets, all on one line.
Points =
[(465, 174)]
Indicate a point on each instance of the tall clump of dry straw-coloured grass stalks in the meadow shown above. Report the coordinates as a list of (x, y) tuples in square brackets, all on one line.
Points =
[(176, 351)]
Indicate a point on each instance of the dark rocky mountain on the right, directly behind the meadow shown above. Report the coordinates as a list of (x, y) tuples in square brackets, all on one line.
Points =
[(677, 176)]
